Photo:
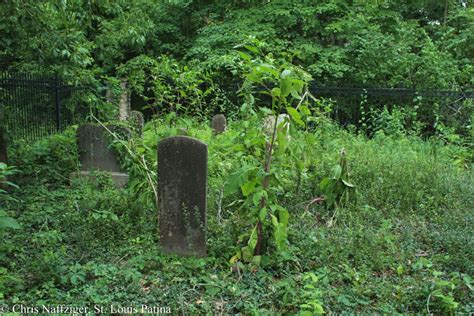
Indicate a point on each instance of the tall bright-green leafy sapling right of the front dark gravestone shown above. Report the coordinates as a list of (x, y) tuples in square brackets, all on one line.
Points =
[(284, 85)]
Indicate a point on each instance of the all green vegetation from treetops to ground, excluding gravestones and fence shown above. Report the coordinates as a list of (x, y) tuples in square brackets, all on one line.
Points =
[(304, 216)]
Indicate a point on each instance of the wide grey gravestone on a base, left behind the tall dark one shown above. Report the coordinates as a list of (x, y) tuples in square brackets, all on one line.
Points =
[(95, 152)]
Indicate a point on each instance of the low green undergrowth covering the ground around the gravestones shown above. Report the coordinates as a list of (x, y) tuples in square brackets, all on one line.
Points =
[(400, 242)]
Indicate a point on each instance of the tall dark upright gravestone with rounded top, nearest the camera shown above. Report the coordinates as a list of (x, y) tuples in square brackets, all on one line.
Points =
[(182, 187)]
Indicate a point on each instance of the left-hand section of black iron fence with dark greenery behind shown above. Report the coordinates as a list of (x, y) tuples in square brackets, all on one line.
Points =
[(38, 106)]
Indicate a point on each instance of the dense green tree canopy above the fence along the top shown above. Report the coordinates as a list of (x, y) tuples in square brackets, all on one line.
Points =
[(421, 44)]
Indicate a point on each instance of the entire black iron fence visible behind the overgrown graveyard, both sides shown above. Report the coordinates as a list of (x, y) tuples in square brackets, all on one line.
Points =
[(38, 106)]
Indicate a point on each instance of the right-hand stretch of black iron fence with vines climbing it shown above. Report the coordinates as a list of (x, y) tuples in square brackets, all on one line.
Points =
[(351, 104)]
